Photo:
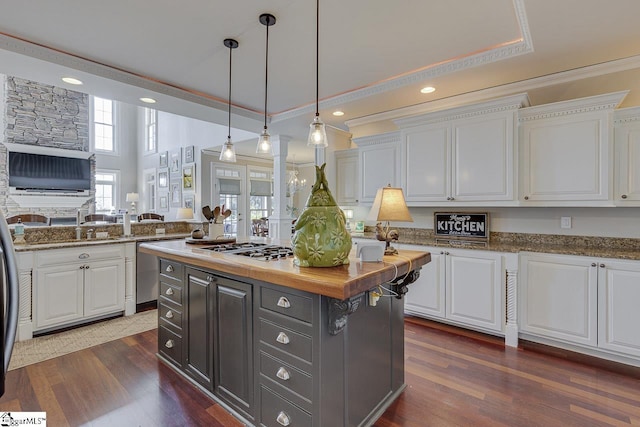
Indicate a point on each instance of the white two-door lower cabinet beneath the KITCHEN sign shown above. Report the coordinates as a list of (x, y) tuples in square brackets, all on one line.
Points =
[(465, 287)]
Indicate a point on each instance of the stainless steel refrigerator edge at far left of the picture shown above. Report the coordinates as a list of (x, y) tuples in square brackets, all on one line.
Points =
[(8, 298)]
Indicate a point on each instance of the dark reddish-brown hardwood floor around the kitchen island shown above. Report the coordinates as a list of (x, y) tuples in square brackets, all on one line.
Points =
[(454, 378)]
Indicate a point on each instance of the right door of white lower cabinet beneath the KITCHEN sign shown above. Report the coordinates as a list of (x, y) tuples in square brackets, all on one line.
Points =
[(473, 289)]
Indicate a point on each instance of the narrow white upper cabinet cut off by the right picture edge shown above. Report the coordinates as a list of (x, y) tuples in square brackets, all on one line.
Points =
[(627, 152)]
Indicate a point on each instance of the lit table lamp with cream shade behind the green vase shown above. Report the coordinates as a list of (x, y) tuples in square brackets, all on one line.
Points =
[(389, 205)]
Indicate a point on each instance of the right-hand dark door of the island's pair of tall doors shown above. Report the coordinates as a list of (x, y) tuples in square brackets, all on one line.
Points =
[(234, 348)]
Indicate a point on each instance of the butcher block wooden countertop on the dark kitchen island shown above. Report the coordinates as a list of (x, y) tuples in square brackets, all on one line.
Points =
[(341, 282)]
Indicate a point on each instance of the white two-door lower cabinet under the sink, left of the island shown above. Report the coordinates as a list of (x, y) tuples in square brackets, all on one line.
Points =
[(74, 284)]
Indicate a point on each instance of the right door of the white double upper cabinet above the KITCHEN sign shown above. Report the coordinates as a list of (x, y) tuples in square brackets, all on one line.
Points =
[(482, 164)]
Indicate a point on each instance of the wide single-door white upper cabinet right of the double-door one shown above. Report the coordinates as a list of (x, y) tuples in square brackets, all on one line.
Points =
[(567, 152)]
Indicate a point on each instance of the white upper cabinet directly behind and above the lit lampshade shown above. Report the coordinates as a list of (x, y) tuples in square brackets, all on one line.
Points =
[(379, 163)]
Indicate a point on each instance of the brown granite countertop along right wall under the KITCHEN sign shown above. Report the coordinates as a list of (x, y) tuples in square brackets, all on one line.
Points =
[(600, 247)]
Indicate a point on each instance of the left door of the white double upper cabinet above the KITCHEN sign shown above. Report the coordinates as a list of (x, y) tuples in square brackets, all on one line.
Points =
[(426, 159)]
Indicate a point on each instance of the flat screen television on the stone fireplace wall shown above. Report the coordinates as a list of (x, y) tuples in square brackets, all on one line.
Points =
[(48, 173)]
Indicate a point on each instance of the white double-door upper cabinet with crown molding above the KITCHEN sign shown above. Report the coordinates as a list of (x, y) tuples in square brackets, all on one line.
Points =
[(461, 156)]
